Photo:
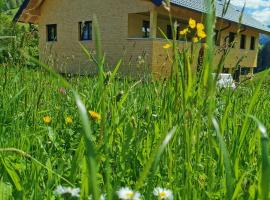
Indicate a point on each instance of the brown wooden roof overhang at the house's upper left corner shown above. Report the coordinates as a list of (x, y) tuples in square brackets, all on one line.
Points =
[(29, 11)]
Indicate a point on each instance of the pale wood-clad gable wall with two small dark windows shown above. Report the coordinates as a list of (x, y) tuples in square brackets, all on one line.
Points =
[(66, 54)]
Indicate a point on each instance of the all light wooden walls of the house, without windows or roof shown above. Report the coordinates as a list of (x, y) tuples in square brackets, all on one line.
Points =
[(118, 33)]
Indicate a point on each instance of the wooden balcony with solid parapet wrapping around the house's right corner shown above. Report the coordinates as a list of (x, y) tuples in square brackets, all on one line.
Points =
[(145, 42)]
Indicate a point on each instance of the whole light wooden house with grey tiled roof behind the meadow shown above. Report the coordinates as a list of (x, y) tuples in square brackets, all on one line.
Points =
[(130, 29)]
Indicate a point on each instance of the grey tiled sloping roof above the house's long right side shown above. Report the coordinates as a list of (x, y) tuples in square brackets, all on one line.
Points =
[(233, 13)]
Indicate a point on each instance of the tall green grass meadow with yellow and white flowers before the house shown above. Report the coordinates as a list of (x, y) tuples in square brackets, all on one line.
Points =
[(179, 138)]
